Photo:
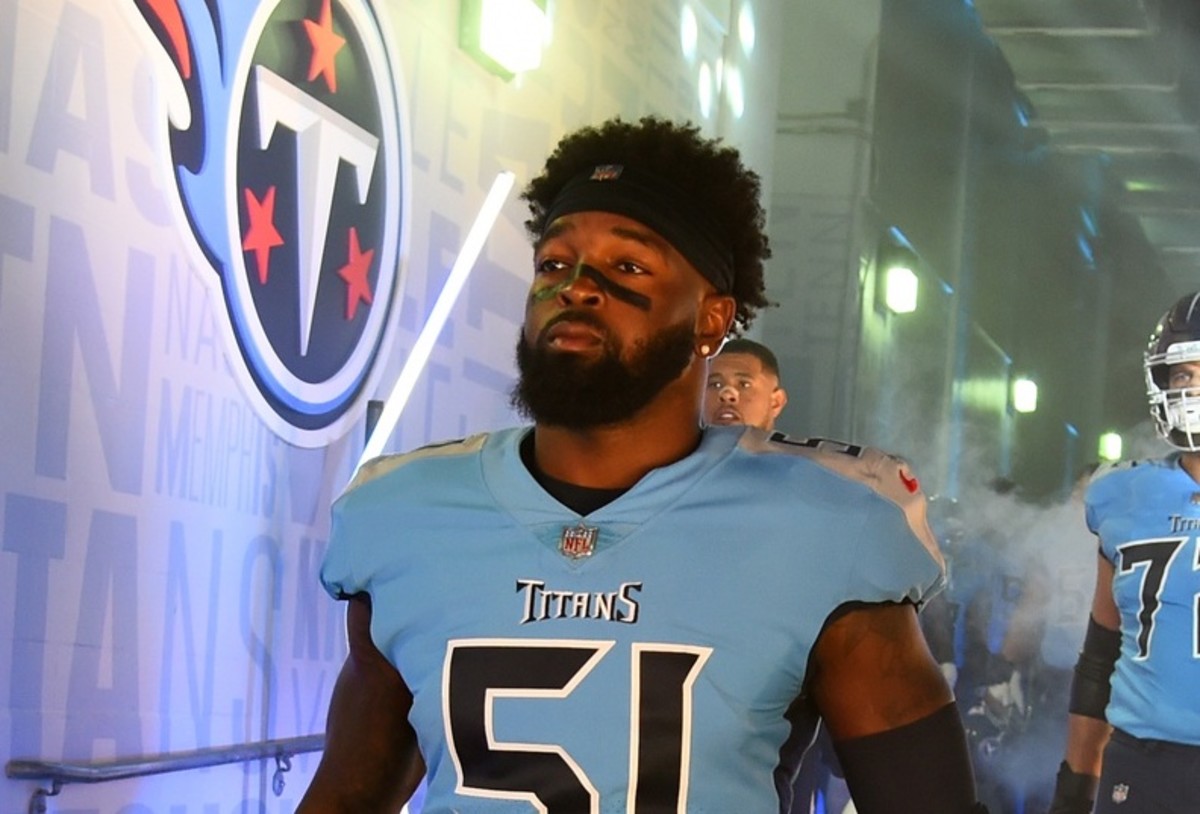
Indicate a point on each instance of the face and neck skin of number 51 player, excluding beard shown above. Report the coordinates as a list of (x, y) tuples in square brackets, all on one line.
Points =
[(638, 260)]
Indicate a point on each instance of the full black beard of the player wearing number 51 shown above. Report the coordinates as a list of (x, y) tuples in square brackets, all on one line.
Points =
[(562, 390)]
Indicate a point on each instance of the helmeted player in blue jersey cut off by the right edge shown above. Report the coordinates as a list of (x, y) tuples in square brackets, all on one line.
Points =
[(1133, 739)]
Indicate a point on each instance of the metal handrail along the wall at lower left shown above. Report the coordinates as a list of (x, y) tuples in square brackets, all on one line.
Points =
[(61, 774)]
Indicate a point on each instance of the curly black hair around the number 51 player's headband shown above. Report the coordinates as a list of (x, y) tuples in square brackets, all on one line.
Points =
[(709, 172)]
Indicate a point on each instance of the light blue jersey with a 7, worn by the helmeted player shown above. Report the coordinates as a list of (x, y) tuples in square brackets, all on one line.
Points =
[(1148, 518)]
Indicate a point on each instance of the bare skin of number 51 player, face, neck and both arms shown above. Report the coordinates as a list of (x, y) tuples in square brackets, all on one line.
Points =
[(871, 672)]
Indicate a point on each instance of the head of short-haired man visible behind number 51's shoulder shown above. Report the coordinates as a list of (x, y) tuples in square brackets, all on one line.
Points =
[(743, 387)]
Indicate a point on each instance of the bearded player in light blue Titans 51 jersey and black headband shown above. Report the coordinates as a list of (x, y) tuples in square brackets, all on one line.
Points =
[(615, 610)]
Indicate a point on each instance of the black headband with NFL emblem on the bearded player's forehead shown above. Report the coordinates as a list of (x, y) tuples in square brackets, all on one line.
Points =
[(656, 203)]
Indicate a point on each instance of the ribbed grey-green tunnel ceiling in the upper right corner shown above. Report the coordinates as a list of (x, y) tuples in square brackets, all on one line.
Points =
[(1119, 80)]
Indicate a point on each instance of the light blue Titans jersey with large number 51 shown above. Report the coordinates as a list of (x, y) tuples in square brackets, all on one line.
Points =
[(649, 672)]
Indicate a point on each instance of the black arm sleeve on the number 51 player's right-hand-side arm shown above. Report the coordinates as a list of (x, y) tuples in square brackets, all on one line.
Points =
[(916, 769)]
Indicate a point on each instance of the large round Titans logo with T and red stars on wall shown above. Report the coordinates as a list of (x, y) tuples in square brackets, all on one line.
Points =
[(290, 153)]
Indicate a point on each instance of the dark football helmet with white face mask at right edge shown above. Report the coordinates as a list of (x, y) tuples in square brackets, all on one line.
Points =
[(1177, 339)]
